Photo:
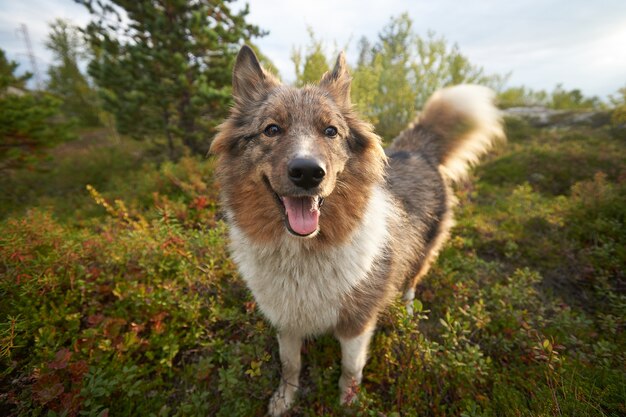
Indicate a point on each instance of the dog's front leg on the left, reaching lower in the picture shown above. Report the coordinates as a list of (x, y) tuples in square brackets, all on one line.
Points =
[(289, 346)]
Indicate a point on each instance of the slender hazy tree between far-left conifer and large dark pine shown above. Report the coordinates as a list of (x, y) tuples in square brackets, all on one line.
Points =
[(79, 101)]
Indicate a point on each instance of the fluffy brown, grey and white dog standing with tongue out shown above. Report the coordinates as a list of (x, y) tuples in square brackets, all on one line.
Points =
[(326, 227)]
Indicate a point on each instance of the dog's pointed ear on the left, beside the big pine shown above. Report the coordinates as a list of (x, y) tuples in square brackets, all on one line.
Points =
[(250, 80)]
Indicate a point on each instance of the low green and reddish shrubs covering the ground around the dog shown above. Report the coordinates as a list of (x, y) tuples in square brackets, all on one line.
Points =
[(120, 299)]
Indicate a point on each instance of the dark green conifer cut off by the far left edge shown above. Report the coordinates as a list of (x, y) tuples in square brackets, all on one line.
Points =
[(29, 123)]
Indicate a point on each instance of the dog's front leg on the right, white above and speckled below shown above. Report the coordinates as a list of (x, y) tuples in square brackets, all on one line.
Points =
[(353, 358)]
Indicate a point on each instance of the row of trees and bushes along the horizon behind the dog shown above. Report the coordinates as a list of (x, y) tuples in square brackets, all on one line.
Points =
[(163, 74)]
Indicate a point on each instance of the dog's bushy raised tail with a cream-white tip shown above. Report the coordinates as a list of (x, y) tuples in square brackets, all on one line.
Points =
[(456, 127)]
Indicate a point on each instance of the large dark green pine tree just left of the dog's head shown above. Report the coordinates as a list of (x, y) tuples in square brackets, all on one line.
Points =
[(164, 66)]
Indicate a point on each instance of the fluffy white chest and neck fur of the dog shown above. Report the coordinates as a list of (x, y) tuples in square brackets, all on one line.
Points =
[(302, 291)]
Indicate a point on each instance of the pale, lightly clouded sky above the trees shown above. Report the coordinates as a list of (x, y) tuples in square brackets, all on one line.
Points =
[(578, 43)]
